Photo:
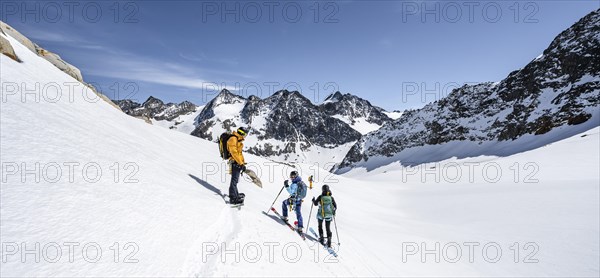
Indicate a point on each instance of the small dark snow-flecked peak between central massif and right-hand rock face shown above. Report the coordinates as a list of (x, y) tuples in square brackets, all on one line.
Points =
[(353, 107)]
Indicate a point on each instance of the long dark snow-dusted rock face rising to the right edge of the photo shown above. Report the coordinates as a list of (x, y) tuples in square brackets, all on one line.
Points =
[(561, 87)]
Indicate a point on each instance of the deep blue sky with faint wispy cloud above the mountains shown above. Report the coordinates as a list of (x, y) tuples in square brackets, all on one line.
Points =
[(397, 54)]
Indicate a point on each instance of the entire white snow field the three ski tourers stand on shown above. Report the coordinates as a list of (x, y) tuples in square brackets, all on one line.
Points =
[(164, 208)]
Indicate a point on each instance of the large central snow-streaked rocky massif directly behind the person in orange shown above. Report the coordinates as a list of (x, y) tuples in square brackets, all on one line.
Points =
[(286, 117)]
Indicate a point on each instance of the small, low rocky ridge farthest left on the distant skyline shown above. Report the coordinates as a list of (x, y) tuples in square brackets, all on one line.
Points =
[(156, 109)]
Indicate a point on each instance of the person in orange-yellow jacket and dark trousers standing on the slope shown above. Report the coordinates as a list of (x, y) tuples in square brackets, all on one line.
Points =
[(238, 165)]
